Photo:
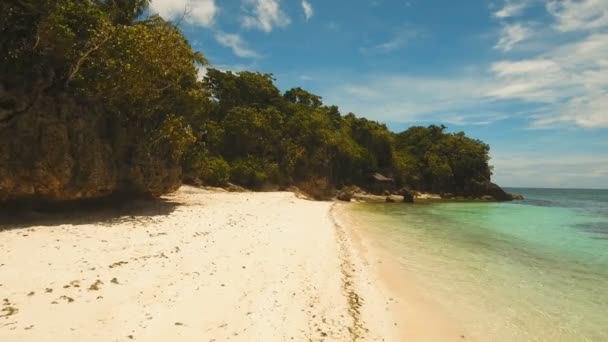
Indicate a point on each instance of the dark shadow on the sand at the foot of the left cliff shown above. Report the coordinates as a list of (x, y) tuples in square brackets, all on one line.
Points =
[(107, 211)]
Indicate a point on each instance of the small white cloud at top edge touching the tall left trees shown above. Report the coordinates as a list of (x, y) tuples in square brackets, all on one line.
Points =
[(194, 12)]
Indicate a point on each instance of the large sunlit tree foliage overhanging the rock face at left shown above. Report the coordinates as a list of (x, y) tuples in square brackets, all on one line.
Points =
[(143, 74)]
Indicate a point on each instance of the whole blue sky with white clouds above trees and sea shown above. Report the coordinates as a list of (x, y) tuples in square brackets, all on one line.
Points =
[(528, 77)]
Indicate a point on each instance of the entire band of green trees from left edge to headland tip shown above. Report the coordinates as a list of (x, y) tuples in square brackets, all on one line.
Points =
[(226, 127)]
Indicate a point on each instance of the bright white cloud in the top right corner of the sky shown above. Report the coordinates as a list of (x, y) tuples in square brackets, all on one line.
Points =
[(576, 15)]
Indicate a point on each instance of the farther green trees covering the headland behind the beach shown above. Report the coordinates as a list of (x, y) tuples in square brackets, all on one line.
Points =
[(294, 139)]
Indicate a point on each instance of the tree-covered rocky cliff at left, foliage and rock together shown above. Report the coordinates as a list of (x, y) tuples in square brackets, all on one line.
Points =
[(92, 102)]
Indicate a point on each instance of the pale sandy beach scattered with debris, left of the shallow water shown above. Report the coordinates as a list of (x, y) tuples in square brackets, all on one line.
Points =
[(198, 266)]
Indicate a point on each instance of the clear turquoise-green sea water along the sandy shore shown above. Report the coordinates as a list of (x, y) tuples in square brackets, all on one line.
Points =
[(530, 270)]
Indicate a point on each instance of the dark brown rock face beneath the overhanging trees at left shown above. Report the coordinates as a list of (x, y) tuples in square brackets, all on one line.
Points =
[(53, 148)]
